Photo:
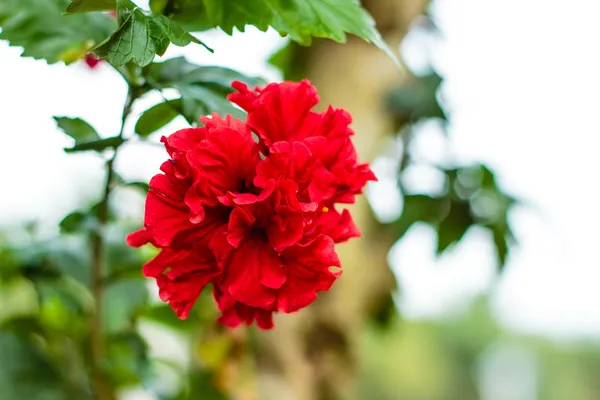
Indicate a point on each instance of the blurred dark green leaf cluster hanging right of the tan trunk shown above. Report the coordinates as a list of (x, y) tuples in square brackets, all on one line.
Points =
[(471, 196)]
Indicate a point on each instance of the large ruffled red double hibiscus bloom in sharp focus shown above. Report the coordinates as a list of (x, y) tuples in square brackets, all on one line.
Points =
[(250, 207)]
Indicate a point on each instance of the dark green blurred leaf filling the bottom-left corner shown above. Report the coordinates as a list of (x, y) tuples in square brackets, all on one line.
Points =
[(26, 372)]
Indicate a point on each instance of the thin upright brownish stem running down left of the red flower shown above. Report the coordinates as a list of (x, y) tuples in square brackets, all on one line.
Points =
[(100, 385)]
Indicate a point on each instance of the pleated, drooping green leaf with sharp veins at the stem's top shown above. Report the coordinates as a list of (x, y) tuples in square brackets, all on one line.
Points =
[(140, 36)]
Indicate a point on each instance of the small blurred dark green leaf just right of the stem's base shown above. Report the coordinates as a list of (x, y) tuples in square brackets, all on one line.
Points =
[(128, 362)]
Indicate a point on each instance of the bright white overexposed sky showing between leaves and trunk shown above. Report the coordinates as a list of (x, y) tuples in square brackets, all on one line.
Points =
[(521, 84)]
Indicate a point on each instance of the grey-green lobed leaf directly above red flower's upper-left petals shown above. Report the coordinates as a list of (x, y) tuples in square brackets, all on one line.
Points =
[(202, 89)]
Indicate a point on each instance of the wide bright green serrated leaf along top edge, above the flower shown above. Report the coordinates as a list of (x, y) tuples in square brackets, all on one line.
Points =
[(300, 19)]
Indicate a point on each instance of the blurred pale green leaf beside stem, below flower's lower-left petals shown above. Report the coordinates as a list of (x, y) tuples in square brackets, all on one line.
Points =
[(123, 299)]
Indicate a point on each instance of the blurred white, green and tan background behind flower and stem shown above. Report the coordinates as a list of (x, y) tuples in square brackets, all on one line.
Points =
[(477, 273)]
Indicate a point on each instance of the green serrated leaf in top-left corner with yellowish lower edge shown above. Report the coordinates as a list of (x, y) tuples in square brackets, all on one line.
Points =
[(40, 27)]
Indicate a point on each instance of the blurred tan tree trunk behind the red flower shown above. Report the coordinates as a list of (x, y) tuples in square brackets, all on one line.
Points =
[(312, 355)]
